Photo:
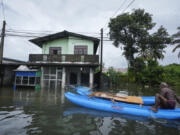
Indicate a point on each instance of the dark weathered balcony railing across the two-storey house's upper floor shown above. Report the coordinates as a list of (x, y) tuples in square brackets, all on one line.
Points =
[(94, 59)]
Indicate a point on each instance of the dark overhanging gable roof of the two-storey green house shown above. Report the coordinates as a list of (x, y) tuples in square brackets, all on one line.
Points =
[(41, 40)]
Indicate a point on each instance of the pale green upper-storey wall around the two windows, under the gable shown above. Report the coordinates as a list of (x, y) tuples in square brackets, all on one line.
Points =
[(67, 45)]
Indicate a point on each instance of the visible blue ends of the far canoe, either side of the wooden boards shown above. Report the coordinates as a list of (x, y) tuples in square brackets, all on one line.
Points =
[(86, 91)]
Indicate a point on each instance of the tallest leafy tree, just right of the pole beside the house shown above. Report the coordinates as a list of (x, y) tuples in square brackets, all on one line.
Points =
[(129, 30)]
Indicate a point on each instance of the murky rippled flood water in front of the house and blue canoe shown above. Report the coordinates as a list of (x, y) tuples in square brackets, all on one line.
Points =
[(48, 112)]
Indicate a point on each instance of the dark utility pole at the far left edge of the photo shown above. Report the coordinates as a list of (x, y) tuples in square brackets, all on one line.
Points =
[(2, 41)]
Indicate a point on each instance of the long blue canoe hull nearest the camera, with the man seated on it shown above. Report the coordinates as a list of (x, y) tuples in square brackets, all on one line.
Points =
[(122, 108)]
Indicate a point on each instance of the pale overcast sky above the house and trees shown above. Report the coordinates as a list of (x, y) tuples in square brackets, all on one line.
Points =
[(81, 16)]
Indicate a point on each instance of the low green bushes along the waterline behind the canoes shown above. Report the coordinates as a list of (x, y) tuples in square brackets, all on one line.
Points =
[(149, 73)]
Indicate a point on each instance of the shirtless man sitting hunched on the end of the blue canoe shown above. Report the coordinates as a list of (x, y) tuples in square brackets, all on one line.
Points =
[(166, 99)]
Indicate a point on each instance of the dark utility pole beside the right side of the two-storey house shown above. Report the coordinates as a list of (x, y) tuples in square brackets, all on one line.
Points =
[(101, 60)]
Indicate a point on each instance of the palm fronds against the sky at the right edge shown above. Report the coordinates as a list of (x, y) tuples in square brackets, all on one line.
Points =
[(176, 37)]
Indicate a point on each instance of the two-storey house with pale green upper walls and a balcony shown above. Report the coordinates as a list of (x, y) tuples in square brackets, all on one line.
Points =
[(67, 58)]
